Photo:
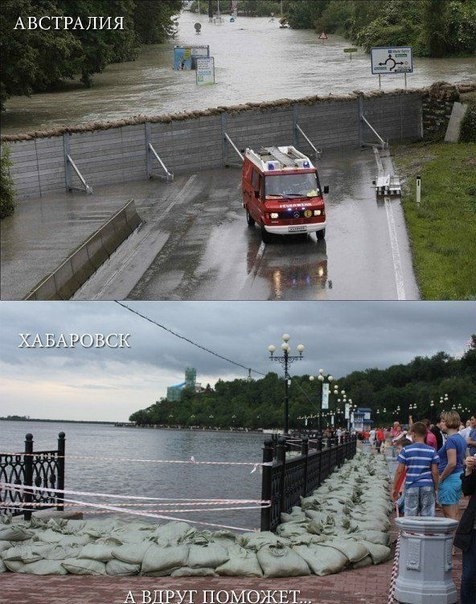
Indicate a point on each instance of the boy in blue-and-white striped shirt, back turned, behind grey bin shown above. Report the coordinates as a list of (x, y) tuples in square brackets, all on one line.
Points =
[(420, 462)]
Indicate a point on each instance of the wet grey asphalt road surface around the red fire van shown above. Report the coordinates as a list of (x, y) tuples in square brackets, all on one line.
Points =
[(196, 244)]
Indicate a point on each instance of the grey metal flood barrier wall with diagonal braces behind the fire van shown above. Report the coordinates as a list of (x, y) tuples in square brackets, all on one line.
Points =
[(119, 152)]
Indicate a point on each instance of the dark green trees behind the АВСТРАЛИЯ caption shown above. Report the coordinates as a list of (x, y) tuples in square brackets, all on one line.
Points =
[(40, 58)]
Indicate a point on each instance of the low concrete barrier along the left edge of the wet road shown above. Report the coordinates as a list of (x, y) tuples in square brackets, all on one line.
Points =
[(84, 261)]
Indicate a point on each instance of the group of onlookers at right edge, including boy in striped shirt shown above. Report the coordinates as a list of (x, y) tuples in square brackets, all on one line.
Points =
[(439, 466)]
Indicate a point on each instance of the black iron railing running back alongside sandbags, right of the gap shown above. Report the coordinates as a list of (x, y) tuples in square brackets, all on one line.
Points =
[(296, 467)]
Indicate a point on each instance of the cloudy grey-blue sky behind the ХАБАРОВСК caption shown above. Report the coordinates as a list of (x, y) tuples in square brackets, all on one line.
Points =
[(111, 383)]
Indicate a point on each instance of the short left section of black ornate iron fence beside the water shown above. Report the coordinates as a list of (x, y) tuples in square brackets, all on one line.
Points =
[(41, 469)]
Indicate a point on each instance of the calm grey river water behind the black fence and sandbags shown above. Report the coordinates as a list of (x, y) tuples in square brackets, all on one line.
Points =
[(133, 461)]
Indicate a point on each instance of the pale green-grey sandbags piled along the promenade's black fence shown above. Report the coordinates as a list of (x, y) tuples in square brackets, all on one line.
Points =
[(343, 524)]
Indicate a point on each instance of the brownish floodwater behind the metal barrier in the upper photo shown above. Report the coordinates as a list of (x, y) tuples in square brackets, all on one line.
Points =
[(255, 60)]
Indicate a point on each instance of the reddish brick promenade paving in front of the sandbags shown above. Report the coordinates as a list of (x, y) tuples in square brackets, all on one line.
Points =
[(369, 585)]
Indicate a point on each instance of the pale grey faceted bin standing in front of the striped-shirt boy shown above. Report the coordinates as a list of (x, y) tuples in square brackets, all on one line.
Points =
[(426, 561)]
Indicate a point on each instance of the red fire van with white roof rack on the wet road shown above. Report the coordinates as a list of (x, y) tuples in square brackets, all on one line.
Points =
[(282, 193)]
